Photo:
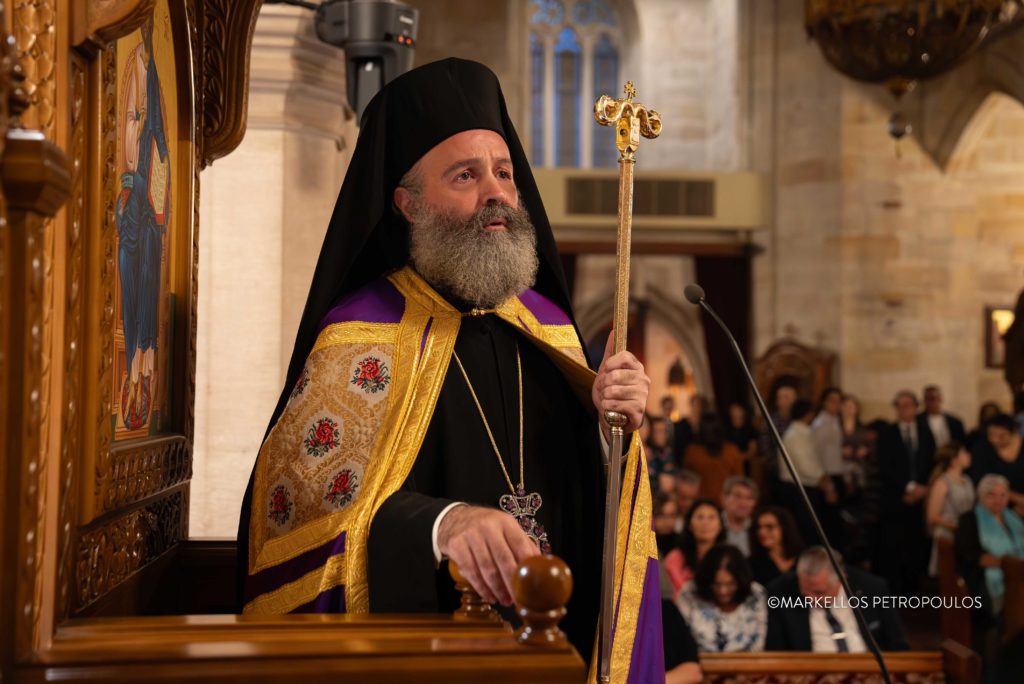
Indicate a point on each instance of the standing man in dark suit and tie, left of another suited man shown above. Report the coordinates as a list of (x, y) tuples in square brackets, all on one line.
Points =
[(905, 457)]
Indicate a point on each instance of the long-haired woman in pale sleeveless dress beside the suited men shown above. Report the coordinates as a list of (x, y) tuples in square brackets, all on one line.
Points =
[(951, 496)]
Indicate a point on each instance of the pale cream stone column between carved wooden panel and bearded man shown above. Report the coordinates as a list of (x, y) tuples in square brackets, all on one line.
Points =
[(265, 210)]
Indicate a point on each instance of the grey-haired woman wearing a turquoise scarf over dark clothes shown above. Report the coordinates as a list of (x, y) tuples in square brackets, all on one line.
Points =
[(987, 534)]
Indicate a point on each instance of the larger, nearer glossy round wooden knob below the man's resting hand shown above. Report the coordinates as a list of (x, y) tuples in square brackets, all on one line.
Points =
[(542, 586)]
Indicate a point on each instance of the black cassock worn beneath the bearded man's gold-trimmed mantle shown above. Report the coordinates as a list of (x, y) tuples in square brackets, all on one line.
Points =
[(457, 462)]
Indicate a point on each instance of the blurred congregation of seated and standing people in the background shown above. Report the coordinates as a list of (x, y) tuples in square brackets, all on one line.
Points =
[(903, 501)]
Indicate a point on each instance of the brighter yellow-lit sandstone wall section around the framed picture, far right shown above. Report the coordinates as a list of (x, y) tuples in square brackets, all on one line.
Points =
[(923, 252)]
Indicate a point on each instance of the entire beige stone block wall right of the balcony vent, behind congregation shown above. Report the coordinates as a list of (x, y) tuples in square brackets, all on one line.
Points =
[(887, 261)]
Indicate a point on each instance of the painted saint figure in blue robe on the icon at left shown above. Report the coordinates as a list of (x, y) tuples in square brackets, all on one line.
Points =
[(143, 208)]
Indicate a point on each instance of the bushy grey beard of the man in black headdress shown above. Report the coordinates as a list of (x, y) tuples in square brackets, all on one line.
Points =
[(458, 256)]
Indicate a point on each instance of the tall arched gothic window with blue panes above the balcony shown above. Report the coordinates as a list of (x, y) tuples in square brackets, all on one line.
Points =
[(575, 57)]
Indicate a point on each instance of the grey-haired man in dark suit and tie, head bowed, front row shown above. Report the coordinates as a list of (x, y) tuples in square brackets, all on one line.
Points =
[(815, 614)]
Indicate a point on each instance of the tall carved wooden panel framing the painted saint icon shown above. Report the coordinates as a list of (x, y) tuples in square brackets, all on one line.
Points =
[(142, 458)]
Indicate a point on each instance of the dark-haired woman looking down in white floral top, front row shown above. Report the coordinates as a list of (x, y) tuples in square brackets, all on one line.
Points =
[(724, 608)]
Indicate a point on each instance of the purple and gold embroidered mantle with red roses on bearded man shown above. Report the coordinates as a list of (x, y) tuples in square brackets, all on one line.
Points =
[(352, 431)]
